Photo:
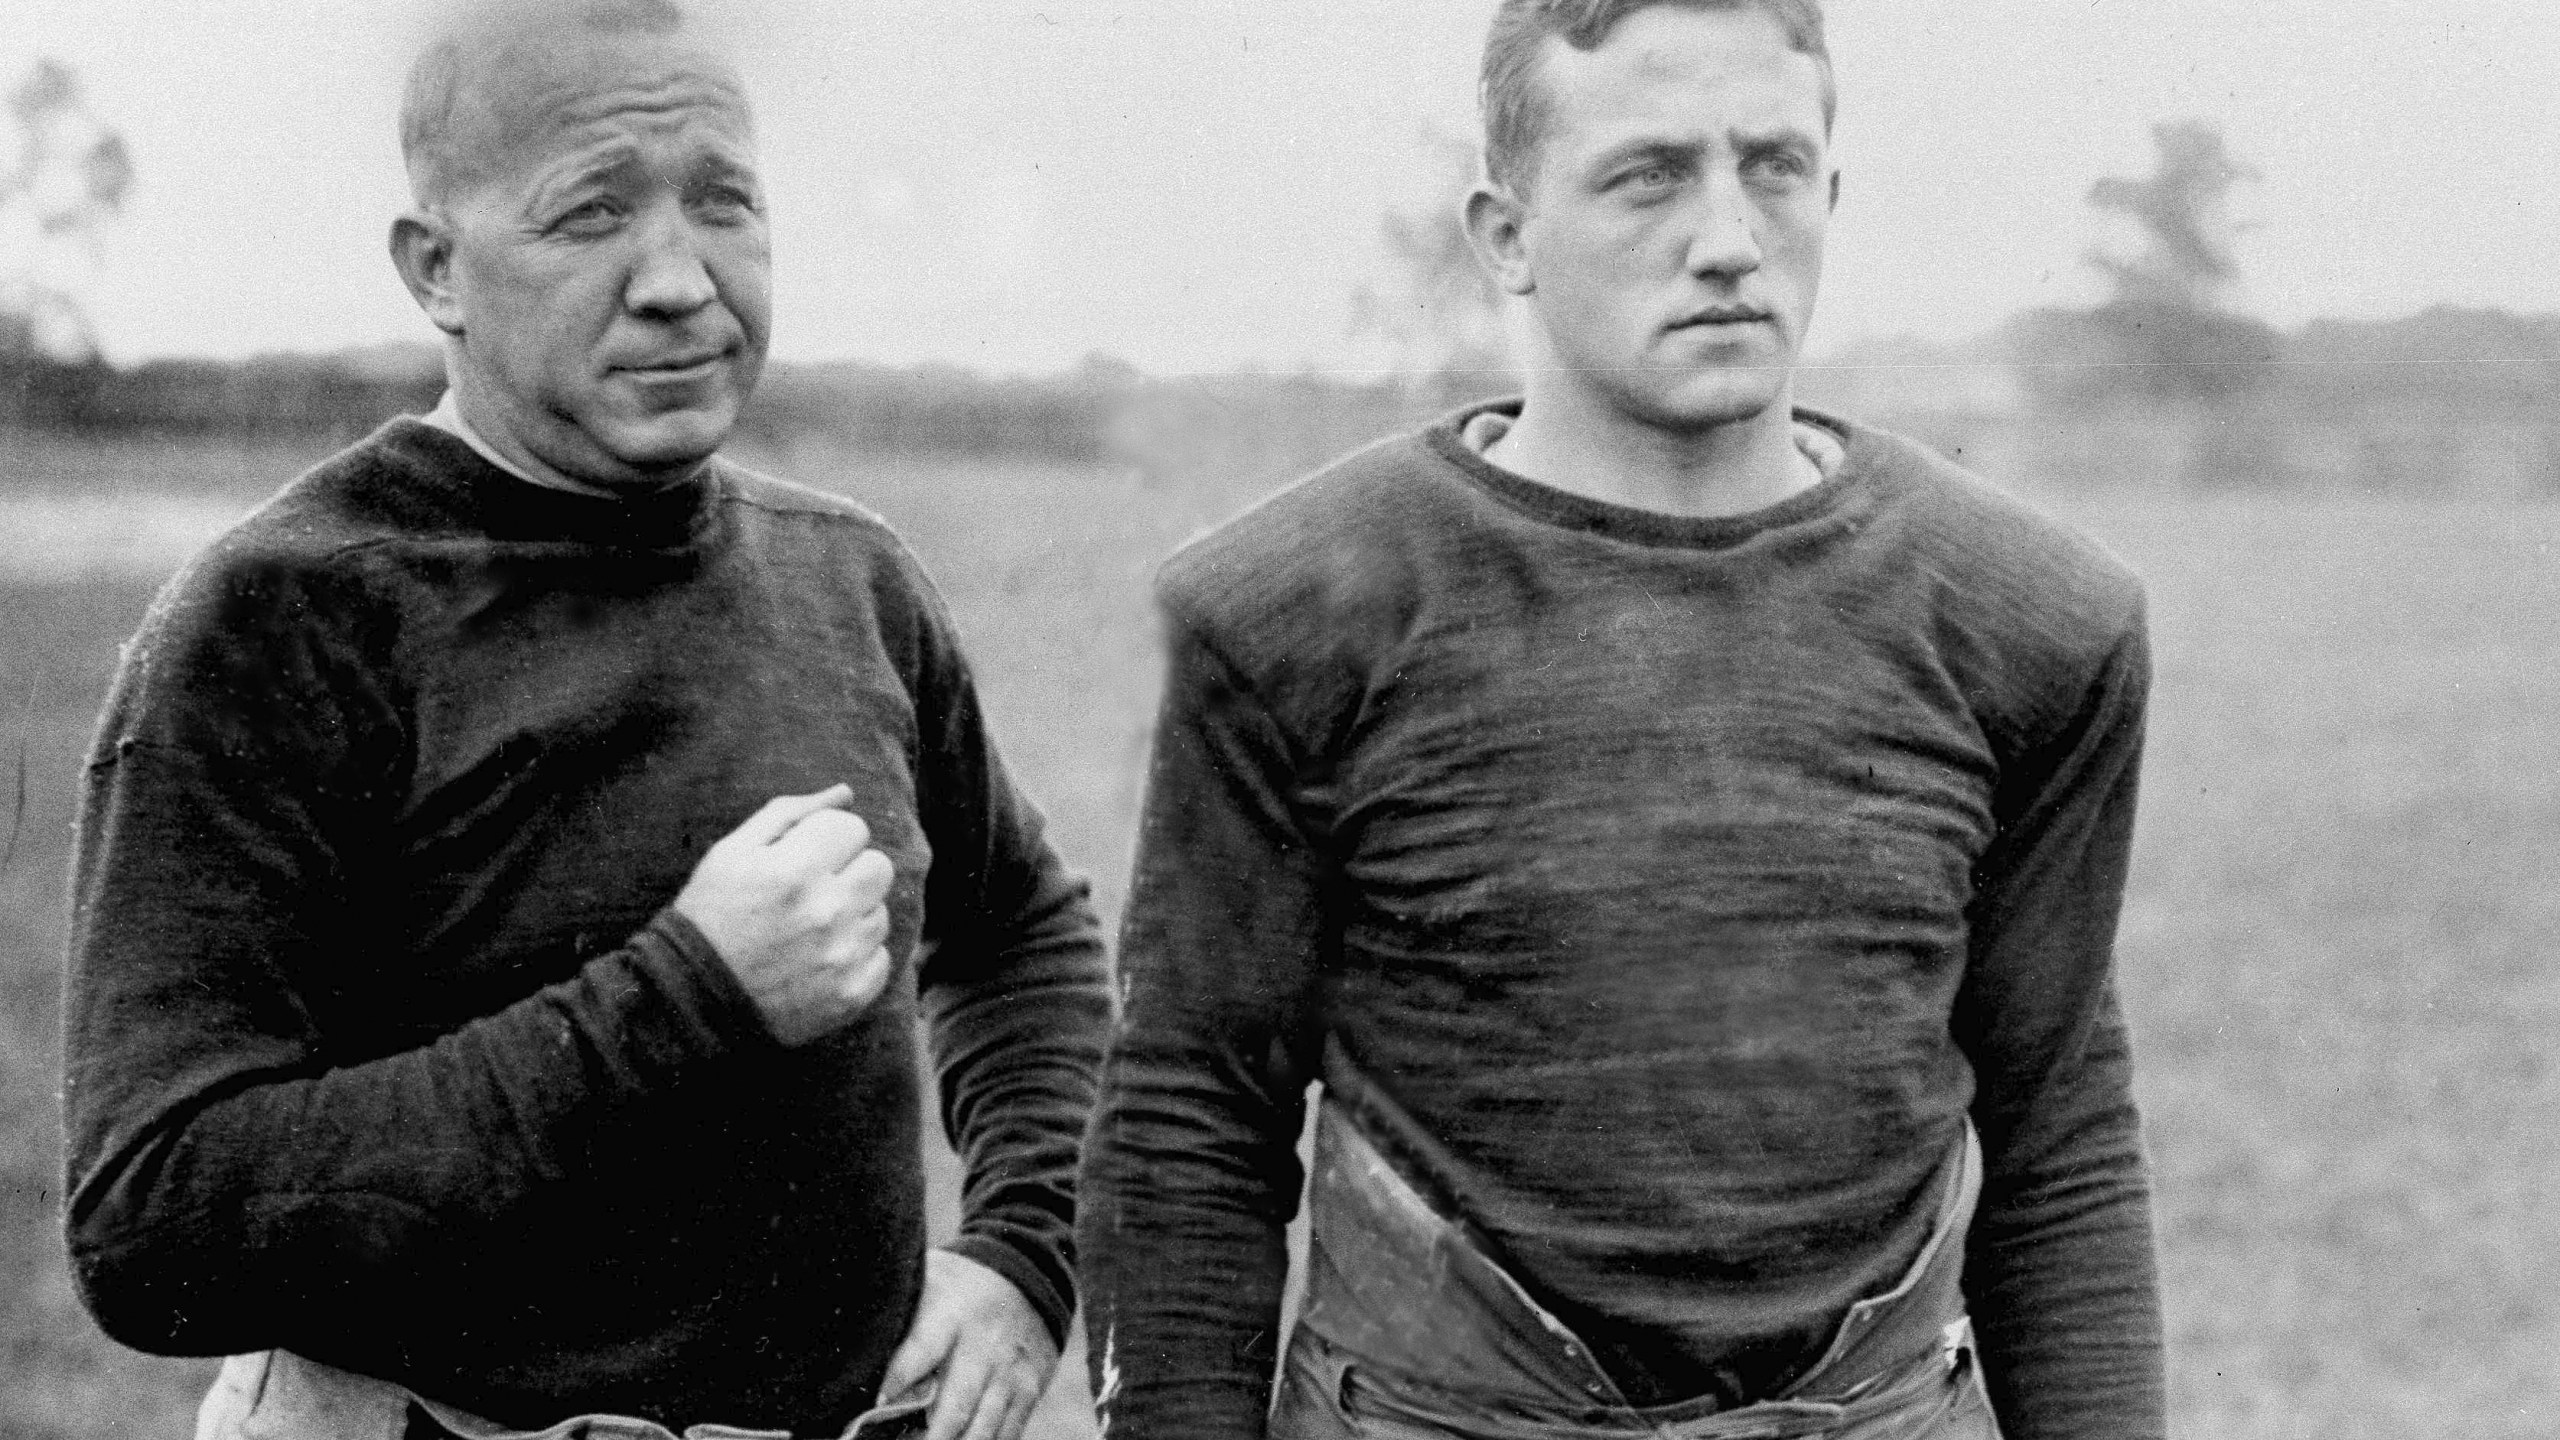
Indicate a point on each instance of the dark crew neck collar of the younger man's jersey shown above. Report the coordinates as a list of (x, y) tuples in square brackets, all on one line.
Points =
[(1652, 527)]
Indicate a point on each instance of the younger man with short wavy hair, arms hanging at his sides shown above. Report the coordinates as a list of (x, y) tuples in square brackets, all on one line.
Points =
[(1681, 831)]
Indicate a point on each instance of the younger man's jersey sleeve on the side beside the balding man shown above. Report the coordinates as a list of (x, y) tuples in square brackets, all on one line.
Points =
[(1192, 1170)]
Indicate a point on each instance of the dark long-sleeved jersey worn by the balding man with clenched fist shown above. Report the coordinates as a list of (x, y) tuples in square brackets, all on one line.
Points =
[(383, 1042)]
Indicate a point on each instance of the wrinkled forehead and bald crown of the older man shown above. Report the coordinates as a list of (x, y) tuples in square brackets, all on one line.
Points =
[(526, 94)]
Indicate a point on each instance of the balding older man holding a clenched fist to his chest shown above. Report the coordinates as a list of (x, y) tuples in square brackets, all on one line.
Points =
[(516, 857)]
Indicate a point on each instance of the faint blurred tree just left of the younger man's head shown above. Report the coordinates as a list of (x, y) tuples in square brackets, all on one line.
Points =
[(1437, 311)]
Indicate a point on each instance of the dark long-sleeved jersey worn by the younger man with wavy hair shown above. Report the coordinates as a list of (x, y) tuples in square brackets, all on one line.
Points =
[(1681, 888)]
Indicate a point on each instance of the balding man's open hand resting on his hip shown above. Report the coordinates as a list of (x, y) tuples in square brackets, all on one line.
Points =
[(982, 1346)]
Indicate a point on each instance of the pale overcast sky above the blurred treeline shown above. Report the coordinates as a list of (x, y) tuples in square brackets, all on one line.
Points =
[(1199, 183)]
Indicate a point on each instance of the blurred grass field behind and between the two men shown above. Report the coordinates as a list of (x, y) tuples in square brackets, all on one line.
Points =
[(2339, 952)]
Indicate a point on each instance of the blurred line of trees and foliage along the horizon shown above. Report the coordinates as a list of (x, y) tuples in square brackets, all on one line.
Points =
[(2162, 386)]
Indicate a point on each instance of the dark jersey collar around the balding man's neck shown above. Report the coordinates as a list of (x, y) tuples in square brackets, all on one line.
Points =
[(506, 506)]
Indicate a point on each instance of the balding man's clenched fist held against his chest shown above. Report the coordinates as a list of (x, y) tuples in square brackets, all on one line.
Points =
[(795, 906)]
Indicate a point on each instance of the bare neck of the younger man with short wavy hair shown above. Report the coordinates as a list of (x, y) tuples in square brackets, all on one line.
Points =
[(1724, 470)]
